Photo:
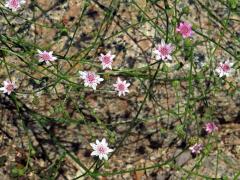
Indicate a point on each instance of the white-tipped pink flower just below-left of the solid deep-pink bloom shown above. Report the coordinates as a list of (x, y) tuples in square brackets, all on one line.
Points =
[(163, 51)]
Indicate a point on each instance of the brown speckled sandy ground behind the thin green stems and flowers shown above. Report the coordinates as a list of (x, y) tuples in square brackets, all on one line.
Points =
[(51, 121)]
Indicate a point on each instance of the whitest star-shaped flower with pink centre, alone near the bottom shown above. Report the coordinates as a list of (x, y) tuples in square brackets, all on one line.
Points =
[(101, 149)]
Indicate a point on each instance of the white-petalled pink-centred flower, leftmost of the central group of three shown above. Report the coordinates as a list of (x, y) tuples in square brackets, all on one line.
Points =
[(90, 79)]
